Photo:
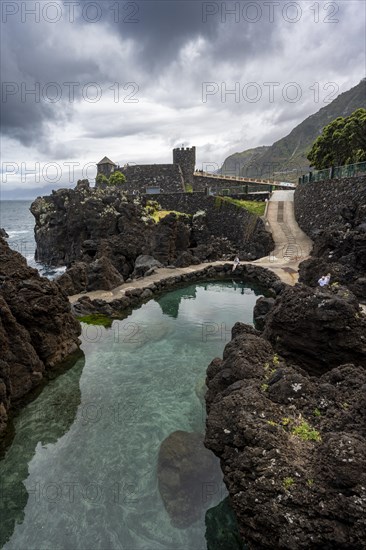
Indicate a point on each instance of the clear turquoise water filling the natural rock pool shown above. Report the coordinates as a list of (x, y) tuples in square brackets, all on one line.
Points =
[(81, 471)]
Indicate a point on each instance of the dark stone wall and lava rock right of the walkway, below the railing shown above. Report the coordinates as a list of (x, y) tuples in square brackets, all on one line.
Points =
[(333, 214)]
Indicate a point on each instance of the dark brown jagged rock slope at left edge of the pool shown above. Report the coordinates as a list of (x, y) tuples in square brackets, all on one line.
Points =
[(37, 328)]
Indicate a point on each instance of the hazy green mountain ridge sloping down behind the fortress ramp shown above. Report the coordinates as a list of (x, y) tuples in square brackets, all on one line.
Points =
[(286, 158)]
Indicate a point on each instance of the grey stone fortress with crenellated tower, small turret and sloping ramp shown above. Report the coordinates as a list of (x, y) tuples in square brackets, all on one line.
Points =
[(181, 176)]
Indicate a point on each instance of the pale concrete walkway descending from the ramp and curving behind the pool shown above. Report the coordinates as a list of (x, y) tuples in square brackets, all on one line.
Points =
[(292, 246)]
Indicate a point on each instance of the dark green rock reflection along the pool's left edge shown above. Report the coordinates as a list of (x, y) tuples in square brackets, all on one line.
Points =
[(39, 424)]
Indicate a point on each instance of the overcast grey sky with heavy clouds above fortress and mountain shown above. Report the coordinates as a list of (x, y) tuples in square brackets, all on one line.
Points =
[(131, 80)]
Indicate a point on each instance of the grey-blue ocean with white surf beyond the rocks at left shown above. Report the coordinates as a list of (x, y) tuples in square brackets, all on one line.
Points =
[(18, 222)]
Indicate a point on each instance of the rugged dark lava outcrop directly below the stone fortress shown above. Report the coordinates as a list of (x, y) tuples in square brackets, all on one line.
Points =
[(107, 231)]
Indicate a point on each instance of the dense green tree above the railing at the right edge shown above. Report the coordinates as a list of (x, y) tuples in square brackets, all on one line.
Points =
[(343, 141)]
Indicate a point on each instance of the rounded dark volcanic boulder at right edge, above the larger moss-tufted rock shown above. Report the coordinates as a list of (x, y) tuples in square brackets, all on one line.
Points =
[(319, 329)]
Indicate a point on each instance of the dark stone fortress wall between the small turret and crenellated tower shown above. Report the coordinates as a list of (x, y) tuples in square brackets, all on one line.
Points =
[(168, 177)]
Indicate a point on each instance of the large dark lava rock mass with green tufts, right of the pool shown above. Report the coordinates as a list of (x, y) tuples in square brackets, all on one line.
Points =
[(292, 445)]
